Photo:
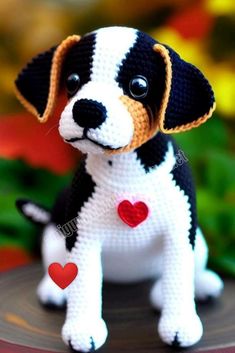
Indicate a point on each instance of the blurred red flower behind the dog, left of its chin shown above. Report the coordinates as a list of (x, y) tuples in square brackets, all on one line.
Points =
[(39, 145)]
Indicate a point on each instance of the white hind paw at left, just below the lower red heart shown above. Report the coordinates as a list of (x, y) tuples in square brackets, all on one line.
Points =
[(50, 295)]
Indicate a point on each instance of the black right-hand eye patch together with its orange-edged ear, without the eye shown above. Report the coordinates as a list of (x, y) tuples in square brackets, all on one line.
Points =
[(178, 91)]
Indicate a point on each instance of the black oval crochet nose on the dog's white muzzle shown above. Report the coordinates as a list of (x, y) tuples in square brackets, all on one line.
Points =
[(89, 113)]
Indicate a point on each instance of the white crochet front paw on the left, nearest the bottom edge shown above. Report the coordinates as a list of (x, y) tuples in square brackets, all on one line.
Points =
[(84, 335)]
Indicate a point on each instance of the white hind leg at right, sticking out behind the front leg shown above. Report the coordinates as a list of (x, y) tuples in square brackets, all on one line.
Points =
[(207, 283)]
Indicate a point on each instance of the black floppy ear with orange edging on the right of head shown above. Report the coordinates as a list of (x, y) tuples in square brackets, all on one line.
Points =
[(188, 99)]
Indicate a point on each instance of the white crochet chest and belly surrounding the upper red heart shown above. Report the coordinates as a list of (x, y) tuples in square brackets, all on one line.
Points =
[(122, 177)]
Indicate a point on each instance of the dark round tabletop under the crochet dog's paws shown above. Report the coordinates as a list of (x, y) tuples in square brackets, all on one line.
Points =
[(131, 322)]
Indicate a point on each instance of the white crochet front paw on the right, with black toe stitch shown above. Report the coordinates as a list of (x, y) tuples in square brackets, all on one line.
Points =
[(180, 331)]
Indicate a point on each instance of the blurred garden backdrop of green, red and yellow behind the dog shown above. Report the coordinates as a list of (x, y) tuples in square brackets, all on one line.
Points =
[(33, 161)]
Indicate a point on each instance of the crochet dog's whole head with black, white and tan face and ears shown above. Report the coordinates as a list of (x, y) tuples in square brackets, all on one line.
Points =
[(122, 88)]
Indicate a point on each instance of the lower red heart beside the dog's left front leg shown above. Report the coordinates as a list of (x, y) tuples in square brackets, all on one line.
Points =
[(63, 276)]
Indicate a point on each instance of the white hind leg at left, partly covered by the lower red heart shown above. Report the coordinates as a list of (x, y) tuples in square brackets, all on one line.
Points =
[(53, 250)]
